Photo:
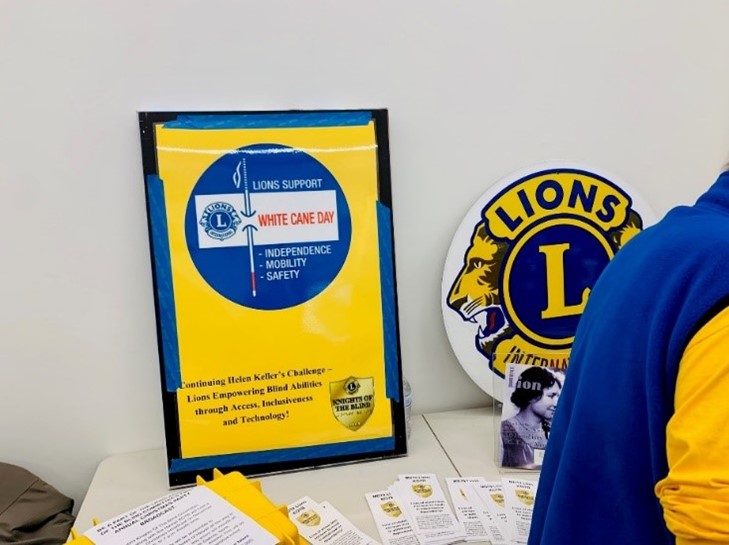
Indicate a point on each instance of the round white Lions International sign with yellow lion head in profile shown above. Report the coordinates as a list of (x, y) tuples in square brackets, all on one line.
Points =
[(523, 262)]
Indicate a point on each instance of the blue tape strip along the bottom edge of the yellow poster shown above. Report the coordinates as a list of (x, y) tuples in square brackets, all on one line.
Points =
[(179, 465)]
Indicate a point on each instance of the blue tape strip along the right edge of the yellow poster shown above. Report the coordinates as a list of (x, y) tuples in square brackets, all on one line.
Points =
[(387, 293)]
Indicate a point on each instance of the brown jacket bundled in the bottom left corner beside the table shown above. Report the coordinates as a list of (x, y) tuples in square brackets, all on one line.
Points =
[(32, 512)]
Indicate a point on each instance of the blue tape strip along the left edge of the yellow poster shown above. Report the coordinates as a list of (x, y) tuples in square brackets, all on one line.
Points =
[(163, 275)]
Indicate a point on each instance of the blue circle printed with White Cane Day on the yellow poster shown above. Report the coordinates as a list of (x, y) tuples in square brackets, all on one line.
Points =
[(272, 189)]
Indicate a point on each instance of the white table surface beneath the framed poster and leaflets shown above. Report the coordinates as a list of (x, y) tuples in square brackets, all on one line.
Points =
[(449, 444)]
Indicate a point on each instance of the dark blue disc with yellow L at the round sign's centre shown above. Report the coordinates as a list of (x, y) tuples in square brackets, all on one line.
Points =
[(583, 257)]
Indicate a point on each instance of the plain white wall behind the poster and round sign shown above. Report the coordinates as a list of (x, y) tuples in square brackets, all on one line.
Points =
[(475, 91)]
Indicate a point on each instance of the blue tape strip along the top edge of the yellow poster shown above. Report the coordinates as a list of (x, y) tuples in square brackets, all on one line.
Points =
[(272, 120)]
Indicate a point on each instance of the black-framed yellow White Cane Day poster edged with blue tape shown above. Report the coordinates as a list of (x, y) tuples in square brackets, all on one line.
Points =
[(274, 280)]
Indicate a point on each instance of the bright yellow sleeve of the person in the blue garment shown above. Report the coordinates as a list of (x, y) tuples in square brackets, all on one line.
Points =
[(695, 493)]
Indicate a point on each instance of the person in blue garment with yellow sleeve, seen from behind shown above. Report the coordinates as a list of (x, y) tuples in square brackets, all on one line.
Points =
[(638, 452)]
